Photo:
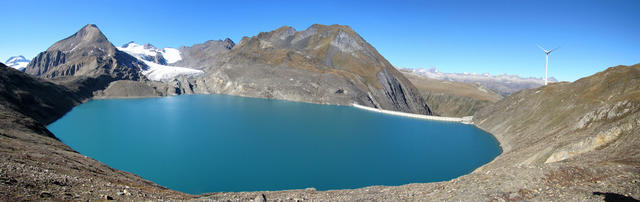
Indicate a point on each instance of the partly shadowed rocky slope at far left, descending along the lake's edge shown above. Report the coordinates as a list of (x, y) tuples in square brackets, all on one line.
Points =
[(36, 166)]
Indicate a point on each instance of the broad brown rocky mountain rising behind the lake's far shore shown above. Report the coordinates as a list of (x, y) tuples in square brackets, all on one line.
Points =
[(322, 64)]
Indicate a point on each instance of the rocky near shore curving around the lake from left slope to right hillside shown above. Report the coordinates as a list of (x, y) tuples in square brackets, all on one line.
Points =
[(566, 141)]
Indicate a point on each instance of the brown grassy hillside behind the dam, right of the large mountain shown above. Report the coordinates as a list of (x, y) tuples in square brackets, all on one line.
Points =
[(451, 98)]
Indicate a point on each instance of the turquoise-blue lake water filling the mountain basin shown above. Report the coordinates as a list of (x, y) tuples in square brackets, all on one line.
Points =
[(217, 143)]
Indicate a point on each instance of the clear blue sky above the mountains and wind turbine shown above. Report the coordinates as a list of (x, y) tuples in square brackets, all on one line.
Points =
[(455, 36)]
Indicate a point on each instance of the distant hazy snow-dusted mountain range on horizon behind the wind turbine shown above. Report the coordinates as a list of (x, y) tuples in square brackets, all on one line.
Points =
[(504, 84)]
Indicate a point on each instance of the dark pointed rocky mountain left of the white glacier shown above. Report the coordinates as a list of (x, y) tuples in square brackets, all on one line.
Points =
[(85, 61)]
